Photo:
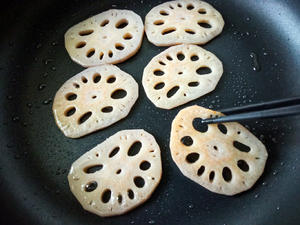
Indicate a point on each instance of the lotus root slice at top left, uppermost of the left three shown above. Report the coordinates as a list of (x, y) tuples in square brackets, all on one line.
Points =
[(109, 37)]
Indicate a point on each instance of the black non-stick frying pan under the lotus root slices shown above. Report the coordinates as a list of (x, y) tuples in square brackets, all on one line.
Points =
[(35, 155)]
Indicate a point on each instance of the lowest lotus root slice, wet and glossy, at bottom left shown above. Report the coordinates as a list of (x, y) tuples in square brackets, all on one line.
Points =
[(117, 175)]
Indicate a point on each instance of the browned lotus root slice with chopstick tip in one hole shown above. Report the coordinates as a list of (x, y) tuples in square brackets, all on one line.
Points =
[(224, 158)]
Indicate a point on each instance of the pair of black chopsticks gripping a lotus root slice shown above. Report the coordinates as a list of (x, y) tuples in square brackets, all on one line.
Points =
[(280, 108)]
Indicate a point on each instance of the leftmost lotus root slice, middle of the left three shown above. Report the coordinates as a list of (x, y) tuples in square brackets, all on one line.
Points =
[(94, 99)]
